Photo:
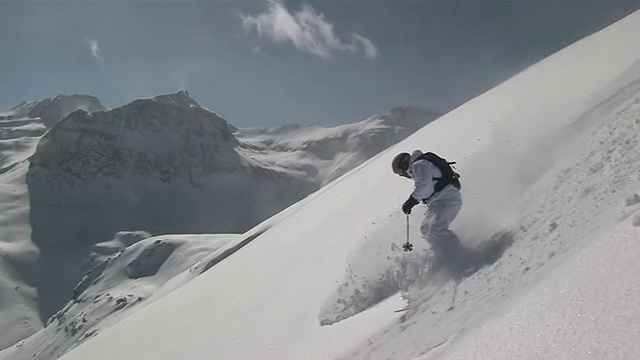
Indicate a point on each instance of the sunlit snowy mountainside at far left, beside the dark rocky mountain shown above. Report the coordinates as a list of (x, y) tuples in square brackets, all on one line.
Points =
[(20, 131)]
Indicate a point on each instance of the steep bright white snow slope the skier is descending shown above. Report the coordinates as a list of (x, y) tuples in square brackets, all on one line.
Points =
[(549, 157)]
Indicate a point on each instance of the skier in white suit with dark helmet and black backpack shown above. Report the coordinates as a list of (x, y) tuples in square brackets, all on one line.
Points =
[(437, 186)]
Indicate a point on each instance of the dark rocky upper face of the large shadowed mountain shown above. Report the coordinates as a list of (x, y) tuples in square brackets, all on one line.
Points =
[(168, 136)]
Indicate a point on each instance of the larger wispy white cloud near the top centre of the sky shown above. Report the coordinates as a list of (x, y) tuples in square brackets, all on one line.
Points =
[(305, 29)]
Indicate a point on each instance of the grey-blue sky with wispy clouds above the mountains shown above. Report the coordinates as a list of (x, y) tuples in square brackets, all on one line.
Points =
[(268, 63)]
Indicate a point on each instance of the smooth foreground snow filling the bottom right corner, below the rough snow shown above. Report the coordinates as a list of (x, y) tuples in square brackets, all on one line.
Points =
[(586, 310)]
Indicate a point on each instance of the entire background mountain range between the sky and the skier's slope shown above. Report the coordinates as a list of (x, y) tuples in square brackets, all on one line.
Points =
[(162, 165)]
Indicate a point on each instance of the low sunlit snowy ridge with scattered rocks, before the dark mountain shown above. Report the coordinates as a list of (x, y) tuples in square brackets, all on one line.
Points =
[(124, 274)]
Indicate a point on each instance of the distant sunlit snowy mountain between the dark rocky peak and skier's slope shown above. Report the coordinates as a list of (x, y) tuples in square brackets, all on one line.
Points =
[(324, 154)]
